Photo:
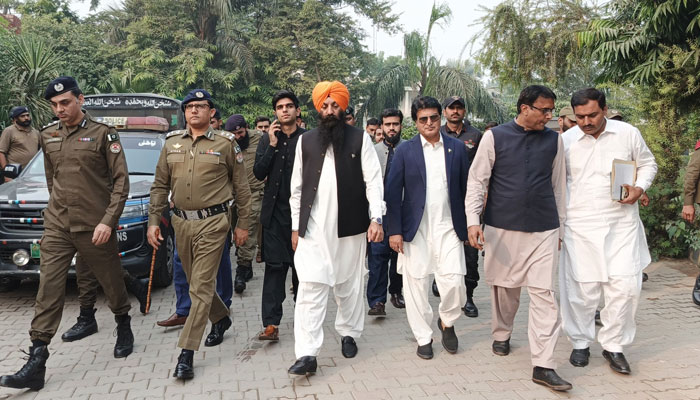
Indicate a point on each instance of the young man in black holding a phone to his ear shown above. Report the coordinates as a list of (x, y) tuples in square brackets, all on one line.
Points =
[(274, 159)]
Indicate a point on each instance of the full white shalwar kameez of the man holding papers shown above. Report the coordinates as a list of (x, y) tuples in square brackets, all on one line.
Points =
[(604, 249)]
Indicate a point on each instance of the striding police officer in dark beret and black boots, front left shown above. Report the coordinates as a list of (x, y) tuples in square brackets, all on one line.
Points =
[(88, 183)]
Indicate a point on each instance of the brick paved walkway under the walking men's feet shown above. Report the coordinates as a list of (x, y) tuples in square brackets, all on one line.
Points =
[(665, 356)]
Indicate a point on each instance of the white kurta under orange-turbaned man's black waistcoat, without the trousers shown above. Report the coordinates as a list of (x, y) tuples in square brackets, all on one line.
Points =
[(321, 256)]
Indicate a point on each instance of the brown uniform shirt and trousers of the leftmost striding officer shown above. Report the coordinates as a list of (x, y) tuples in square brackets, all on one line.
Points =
[(88, 182)]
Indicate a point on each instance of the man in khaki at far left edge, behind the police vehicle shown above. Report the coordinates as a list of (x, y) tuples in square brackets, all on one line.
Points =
[(19, 142)]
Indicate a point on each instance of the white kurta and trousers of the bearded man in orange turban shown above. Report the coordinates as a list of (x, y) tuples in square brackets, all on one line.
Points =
[(324, 261)]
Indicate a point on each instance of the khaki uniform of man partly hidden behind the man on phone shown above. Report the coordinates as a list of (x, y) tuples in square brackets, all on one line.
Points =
[(246, 253)]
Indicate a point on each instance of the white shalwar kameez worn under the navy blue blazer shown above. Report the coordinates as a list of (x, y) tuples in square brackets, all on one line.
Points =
[(436, 249)]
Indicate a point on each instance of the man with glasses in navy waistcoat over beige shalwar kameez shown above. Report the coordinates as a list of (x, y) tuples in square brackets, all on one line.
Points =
[(522, 165)]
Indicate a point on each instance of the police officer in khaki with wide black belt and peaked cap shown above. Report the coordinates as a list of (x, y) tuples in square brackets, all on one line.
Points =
[(203, 169)]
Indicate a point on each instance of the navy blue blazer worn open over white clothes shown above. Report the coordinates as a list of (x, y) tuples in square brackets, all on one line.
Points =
[(405, 187)]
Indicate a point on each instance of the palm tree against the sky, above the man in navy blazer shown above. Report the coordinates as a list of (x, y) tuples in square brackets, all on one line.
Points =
[(420, 70)]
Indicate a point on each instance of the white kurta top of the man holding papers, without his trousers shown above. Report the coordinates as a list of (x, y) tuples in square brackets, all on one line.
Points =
[(602, 237)]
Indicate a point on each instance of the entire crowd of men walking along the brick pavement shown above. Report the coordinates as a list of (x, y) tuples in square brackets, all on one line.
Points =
[(323, 202)]
